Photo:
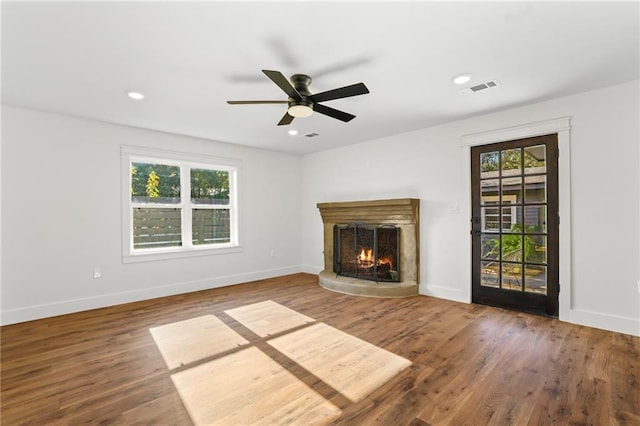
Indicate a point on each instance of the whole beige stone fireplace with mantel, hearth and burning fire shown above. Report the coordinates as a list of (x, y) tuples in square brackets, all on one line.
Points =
[(371, 248)]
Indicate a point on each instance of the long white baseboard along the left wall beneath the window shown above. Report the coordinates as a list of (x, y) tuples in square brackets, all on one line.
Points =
[(30, 313)]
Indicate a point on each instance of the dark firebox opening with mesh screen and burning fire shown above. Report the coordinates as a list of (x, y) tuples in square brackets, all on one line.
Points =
[(367, 252)]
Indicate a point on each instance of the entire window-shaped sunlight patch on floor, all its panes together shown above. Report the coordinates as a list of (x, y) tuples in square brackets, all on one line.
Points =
[(234, 382)]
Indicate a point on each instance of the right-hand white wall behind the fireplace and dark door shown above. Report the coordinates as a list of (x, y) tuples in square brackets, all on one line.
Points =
[(427, 164)]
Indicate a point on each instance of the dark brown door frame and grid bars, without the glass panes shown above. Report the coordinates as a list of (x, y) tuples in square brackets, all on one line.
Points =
[(521, 299)]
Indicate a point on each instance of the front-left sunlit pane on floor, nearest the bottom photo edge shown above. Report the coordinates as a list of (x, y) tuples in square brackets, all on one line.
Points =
[(248, 387)]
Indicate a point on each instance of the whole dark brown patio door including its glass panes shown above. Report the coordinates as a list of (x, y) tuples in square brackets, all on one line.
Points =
[(515, 224)]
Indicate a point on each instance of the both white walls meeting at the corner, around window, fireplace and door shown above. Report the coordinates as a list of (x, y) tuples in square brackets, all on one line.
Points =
[(61, 208)]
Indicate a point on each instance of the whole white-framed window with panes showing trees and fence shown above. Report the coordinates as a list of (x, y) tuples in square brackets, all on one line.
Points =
[(177, 204)]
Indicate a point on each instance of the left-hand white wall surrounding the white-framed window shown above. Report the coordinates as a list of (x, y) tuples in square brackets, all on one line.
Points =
[(61, 217)]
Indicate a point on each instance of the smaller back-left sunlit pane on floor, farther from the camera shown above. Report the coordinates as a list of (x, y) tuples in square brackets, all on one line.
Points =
[(188, 341)]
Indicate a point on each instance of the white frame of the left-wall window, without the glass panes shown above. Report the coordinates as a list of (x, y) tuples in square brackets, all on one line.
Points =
[(186, 161)]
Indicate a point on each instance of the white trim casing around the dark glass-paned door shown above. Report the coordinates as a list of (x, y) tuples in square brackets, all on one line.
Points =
[(561, 126)]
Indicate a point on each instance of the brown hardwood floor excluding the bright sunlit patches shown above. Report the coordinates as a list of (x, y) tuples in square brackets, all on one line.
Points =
[(471, 364)]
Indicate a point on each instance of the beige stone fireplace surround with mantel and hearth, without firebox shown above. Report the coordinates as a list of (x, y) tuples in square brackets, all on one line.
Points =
[(403, 213)]
